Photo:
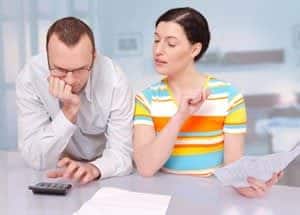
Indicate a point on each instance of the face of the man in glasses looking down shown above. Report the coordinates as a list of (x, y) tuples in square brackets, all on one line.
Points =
[(71, 64)]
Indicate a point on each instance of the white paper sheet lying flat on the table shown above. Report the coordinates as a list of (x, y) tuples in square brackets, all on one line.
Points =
[(109, 200)]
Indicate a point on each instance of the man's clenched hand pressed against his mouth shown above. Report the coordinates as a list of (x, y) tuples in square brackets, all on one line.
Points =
[(71, 102)]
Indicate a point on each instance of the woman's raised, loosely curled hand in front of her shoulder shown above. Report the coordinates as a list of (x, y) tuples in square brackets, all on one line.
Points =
[(190, 103)]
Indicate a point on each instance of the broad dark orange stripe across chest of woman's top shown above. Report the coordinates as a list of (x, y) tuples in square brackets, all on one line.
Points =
[(193, 124)]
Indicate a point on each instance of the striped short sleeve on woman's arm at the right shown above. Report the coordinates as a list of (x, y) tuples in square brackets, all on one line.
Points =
[(236, 118)]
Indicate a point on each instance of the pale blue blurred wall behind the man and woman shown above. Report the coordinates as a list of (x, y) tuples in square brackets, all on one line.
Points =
[(236, 26)]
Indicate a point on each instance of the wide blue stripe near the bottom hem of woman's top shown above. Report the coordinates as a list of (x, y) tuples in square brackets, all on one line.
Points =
[(195, 162)]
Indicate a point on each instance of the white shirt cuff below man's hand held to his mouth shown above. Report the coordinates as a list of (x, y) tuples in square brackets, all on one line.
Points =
[(62, 127)]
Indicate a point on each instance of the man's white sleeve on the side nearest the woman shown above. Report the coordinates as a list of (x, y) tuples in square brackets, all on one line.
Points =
[(116, 159)]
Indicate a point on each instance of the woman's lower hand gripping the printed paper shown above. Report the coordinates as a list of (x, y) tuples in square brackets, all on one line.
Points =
[(257, 187)]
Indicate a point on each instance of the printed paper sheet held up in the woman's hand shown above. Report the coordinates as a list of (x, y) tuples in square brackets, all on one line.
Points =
[(260, 167)]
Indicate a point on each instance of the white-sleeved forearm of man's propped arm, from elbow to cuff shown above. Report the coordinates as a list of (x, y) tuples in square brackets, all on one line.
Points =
[(41, 147)]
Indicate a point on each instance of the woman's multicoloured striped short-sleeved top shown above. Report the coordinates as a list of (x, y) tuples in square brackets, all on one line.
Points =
[(199, 147)]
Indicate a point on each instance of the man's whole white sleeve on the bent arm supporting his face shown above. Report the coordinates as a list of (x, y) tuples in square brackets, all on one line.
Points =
[(41, 139)]
